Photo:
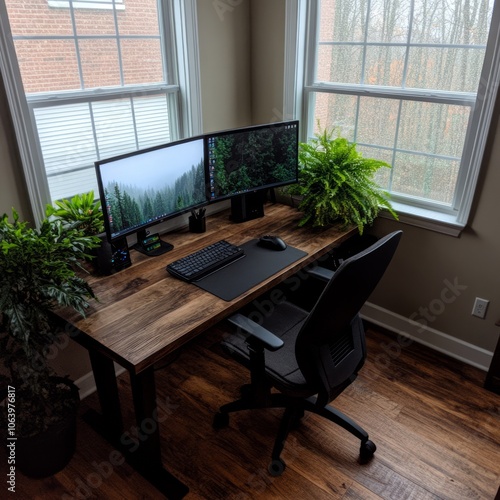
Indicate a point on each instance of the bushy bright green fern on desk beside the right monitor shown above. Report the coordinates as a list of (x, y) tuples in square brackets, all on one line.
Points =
[(336, 183)]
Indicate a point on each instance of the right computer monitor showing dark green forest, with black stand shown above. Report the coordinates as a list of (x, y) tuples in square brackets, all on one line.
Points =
[(244, 163)]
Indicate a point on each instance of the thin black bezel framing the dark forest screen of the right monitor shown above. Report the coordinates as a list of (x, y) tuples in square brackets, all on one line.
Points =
[(257, 188)]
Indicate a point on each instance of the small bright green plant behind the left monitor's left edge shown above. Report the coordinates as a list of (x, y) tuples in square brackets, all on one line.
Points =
[(81, 211)]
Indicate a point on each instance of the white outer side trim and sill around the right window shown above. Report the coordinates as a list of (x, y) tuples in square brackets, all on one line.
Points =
[(295, 105)]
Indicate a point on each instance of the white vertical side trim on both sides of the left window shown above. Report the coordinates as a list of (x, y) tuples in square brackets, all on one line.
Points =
[(186, 40)]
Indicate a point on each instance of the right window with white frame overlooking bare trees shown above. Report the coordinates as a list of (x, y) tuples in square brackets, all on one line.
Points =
[(405, 81)]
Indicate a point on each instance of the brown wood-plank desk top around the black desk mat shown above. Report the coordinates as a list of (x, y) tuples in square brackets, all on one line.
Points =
[(143, 313)]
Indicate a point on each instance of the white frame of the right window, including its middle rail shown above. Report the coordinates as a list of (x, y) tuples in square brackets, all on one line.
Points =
[(300, 53)]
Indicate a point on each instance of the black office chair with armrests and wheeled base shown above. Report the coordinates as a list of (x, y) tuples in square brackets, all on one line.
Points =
[(309, 357)]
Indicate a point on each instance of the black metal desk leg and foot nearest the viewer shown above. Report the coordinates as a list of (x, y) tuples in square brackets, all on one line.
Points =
[(147, 457)]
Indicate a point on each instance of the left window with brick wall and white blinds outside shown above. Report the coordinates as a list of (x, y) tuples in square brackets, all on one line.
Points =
[(87, 84)]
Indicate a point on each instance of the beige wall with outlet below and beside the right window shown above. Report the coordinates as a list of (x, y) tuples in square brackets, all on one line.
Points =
[(426, 259)]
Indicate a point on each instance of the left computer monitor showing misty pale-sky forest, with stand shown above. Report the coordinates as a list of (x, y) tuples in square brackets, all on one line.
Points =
[(149, 186)]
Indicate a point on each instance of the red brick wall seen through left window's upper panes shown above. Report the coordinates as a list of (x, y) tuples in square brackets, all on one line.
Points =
[(51, 64)]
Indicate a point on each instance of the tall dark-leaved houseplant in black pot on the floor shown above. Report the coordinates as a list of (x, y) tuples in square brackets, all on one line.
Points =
[(38, 269)]
